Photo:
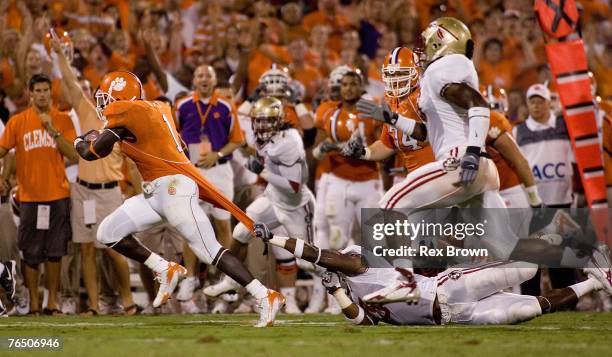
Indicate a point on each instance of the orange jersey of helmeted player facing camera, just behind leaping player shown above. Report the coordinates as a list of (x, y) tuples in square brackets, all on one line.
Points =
[(413, 153)]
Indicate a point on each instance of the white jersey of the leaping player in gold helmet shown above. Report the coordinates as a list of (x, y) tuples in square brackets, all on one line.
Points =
[(447, 125)]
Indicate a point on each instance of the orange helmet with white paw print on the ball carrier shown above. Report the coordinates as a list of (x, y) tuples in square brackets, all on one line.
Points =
[(114, 86)]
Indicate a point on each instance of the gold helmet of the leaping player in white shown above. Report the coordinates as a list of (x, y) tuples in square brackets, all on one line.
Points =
[(444, 36)]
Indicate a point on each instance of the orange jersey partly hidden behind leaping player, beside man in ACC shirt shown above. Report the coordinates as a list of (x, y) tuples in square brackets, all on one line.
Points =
[(497, 127)]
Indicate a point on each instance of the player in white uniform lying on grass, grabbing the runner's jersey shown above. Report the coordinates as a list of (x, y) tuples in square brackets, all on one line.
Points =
[(467, 296)]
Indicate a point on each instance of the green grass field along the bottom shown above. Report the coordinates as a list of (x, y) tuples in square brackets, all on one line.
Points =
[(562, 334)]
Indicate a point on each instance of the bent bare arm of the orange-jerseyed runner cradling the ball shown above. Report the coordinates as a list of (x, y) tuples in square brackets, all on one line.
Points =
[(94, 145)]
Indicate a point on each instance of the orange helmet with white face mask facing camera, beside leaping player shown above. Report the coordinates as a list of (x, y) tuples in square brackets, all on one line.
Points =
[(400, 72)]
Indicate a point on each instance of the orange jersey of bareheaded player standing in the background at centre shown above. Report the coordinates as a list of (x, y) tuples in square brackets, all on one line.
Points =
[(339, 124)]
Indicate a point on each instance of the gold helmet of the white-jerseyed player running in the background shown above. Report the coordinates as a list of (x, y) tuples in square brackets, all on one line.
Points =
[(267, 118)]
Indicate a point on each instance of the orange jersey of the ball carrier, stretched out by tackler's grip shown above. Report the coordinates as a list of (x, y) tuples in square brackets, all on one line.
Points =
[(157, 149)]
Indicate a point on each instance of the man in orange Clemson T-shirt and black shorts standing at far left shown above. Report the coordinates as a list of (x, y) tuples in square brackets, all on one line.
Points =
[(42, 137)]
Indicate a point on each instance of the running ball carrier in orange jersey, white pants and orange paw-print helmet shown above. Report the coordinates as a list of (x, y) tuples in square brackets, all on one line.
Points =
[(147, 134)]
